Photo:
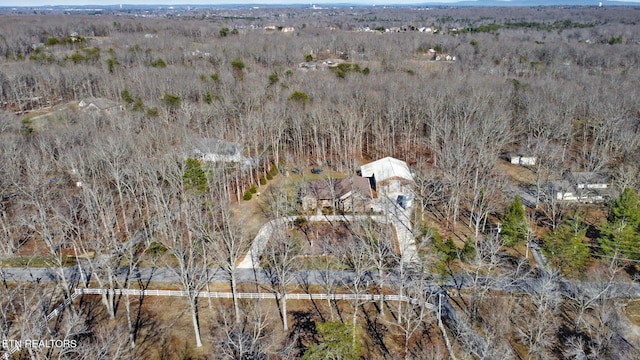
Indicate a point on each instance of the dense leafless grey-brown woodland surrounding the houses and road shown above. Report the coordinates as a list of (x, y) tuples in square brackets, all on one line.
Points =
[(558, 83)]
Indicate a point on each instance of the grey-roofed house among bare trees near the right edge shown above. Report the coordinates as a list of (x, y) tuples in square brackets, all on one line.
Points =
[(581, 187)]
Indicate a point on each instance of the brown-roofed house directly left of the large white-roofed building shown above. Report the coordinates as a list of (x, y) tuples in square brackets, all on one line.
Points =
[(347, 195)]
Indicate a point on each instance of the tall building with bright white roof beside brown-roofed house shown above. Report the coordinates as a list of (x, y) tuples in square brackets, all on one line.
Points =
[(388, 175)]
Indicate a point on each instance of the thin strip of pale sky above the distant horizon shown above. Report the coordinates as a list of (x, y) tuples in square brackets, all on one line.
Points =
[(266, 2)]
